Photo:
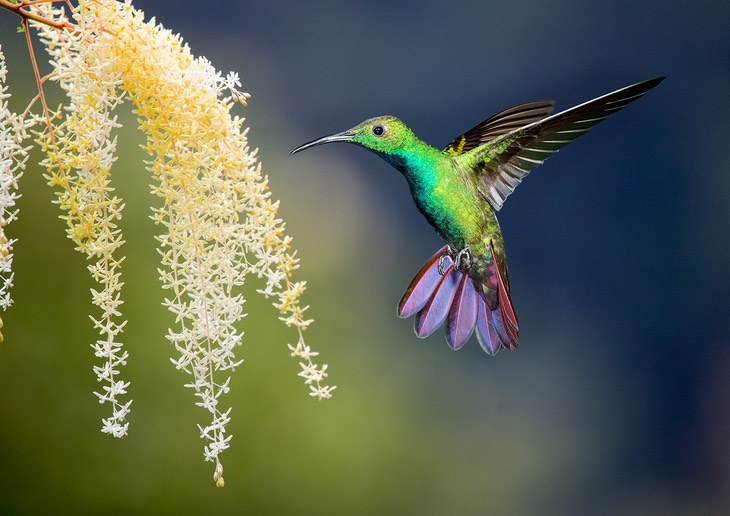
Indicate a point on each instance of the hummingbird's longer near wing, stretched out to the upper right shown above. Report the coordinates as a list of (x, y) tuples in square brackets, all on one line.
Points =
[(504, 161)]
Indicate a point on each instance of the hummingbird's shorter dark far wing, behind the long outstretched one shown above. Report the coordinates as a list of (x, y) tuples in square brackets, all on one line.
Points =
[(499, 124)]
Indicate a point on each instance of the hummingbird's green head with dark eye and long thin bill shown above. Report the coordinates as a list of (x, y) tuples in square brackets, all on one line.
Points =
[(384, 135)]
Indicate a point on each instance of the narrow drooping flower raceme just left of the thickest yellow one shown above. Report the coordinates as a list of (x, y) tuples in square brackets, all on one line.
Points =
[(79, 160)]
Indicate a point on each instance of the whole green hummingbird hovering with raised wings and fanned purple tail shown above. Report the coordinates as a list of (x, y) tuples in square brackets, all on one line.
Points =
[(459, 190)]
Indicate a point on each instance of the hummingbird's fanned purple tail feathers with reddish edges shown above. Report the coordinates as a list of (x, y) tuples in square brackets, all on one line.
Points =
[(442, 292)]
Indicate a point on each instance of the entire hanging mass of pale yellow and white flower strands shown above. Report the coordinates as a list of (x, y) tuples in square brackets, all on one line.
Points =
[(219, 224)]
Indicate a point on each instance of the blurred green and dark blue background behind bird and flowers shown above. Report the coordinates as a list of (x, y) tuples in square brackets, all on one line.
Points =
[(616, 402)]
